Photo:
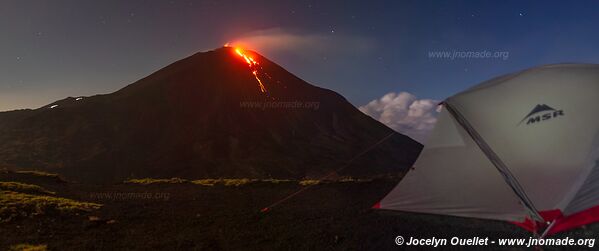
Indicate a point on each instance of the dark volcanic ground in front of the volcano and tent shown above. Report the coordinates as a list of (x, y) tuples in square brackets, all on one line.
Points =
[(187, 216)]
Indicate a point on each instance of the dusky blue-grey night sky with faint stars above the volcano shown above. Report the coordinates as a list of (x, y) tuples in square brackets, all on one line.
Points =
[(362, 49)]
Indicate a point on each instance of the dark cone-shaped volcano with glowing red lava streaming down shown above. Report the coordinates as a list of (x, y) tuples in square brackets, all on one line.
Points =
[(211, 115)]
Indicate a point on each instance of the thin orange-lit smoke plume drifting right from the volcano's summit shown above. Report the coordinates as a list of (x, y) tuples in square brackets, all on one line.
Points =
[(276, 39)]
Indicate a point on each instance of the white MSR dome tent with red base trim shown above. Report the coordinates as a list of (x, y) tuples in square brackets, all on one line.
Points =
[(522, 148)]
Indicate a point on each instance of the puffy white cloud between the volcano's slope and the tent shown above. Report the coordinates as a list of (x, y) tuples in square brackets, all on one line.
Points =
[(404, 113)]
